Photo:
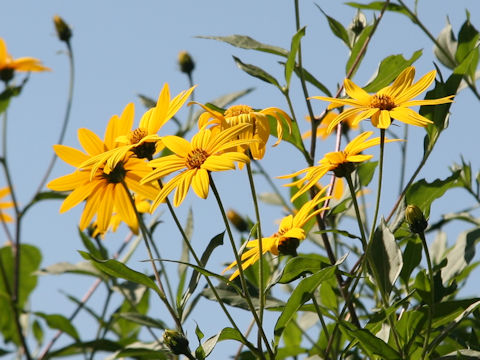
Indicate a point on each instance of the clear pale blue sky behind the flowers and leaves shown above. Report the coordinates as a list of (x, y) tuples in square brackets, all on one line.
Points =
[(123, 48)]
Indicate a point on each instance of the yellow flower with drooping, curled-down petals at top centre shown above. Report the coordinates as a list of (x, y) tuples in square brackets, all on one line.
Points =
[(243, 114)]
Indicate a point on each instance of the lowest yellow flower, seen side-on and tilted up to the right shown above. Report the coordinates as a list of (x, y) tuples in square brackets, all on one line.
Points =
[(286, 240)]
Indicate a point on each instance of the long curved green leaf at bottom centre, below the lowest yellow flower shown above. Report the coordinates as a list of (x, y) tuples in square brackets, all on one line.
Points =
[(300, 295)]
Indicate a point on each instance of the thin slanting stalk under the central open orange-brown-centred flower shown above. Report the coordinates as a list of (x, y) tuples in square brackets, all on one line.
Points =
[(240, 268)]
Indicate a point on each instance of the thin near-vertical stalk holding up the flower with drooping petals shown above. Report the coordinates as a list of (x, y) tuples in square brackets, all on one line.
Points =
[(261, 282)]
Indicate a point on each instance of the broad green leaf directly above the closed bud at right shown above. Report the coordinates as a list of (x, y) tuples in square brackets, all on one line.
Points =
[(423, 193)]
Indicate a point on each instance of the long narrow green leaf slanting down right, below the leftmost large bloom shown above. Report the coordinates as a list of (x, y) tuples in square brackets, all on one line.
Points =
[(117, 269)]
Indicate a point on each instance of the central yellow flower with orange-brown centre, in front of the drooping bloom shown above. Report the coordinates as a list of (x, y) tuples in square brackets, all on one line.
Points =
[(195, 159)]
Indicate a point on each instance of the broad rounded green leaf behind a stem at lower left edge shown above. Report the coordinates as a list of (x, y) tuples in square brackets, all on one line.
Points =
[(30, 260)]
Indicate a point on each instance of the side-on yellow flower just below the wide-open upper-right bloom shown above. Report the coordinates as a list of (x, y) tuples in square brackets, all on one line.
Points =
[(341, 163)]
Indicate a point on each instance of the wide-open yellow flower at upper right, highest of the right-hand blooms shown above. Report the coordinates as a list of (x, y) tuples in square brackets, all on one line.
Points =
[(391, 102)]
